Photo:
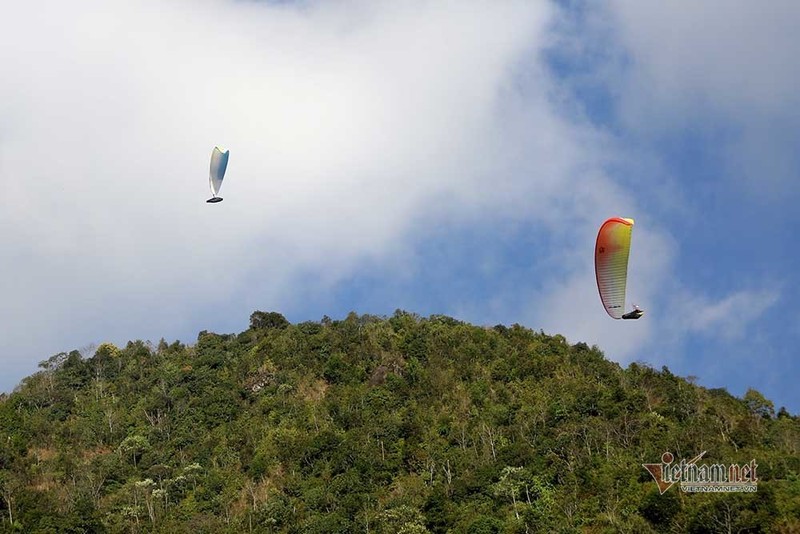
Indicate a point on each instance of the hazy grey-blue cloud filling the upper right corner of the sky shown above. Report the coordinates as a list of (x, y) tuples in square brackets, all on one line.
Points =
[(724, 68)]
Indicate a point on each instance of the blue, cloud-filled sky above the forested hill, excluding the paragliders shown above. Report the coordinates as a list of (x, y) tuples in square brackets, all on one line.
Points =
[(452, 157)]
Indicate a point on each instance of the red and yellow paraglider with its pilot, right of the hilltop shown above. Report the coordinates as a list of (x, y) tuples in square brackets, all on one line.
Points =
[(611, 266)]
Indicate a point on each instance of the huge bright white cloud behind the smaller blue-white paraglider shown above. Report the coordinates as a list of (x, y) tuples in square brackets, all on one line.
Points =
[(347, 123)]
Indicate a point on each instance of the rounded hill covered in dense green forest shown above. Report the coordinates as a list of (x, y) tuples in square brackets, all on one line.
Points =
[(380, 425)]
